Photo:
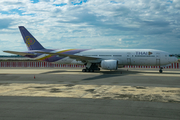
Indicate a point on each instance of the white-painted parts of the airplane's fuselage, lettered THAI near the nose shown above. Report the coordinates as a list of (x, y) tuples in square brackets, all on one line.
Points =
[(148, 57)]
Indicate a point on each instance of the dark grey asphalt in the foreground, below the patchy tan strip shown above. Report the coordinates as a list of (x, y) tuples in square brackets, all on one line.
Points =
[(42, 108)]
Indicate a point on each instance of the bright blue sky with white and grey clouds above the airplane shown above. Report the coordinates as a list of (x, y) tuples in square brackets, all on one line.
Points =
[(92, 24)]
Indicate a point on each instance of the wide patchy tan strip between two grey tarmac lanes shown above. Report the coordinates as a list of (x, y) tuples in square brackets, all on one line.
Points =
[(137, 93)]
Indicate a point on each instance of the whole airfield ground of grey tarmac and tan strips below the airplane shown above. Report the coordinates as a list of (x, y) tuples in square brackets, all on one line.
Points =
[(31, 93)]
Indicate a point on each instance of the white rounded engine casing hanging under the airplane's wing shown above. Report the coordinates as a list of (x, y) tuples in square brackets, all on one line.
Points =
[(109, 64)]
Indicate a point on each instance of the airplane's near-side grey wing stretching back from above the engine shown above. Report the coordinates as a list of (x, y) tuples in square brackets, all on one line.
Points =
[(77, 57)]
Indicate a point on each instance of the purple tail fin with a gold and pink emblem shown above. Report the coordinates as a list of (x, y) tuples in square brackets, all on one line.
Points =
[(31, 42)]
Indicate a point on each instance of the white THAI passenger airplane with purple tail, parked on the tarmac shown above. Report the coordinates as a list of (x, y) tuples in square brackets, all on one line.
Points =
[(93, 59)]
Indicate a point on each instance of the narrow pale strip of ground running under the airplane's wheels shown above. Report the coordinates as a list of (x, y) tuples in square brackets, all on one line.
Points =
[(103, 72)]
